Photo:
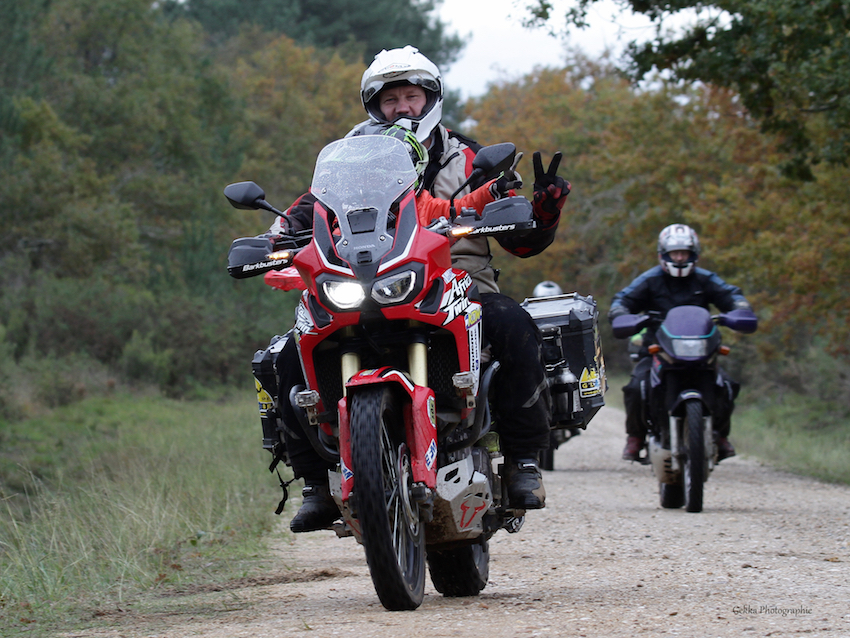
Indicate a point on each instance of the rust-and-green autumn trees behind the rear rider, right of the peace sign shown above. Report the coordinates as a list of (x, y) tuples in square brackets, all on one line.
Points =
[(640, 160)]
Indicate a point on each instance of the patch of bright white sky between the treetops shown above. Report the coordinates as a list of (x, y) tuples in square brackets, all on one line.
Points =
[(499, 47)]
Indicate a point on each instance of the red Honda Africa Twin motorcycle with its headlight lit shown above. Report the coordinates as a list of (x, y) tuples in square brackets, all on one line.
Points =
[(390, 340)]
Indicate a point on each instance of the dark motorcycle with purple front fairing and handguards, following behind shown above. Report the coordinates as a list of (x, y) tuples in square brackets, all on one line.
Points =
[(683, 395)]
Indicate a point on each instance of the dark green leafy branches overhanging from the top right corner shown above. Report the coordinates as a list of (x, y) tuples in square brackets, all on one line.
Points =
[(789, 60)]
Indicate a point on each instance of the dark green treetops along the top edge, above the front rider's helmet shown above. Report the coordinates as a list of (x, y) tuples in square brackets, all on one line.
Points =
[(360, 27)]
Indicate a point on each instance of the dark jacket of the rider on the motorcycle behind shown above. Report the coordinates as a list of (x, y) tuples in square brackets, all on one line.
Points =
[(654, 290)]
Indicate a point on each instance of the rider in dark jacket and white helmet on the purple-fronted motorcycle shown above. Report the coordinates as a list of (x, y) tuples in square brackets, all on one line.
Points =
[(676, 281)]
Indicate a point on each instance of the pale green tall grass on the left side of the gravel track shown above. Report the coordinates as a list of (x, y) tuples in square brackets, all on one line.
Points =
[(115, 496)]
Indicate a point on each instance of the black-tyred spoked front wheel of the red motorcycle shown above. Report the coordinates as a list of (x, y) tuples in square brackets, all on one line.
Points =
[(392, 534)]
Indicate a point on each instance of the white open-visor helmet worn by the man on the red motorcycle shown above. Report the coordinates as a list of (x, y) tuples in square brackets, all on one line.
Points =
[(398, 67)]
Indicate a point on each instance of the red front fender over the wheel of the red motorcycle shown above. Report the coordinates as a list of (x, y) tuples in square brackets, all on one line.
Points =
[(420, 418)]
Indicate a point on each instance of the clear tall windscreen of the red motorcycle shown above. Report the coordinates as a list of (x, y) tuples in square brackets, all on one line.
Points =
[(359, 179)]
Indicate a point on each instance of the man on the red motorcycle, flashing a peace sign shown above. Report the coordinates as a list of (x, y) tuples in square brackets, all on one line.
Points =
[(404, 87)]
